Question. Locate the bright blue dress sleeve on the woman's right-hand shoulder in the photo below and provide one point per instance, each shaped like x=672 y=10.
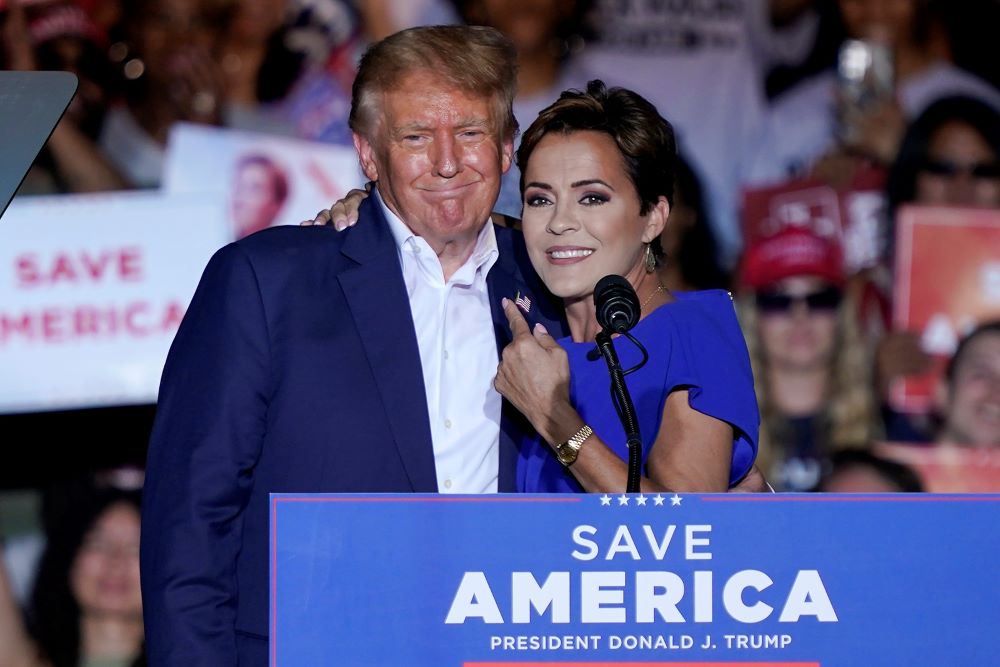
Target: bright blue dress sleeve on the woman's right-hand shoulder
x=711 y=361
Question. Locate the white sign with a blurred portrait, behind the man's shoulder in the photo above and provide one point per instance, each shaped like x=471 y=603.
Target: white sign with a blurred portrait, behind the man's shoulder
x=262 y=180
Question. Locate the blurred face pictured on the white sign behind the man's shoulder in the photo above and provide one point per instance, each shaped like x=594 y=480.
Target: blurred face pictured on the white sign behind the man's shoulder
x=260 y=189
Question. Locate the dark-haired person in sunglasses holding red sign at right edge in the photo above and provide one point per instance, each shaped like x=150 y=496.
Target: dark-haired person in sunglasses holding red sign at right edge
x=950 y=156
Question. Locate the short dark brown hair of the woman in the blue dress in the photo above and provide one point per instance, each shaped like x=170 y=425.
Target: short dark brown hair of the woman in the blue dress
x=643 y=137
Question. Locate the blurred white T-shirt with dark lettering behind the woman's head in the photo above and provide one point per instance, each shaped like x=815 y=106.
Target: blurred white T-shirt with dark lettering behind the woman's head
x=703 y=65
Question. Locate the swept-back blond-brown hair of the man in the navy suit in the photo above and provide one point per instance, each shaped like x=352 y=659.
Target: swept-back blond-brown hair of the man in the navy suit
x=474 y=59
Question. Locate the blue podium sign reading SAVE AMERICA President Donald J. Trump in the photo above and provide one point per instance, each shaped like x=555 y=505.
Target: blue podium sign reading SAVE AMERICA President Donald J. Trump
x=711 y=580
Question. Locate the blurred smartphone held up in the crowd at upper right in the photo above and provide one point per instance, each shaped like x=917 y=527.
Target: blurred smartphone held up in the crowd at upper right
x=865 y=79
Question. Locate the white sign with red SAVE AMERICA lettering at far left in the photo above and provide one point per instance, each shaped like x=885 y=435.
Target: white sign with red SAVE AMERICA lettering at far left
x=92 y=289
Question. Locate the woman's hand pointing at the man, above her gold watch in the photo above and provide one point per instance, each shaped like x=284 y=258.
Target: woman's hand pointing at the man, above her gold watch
x=534 y=376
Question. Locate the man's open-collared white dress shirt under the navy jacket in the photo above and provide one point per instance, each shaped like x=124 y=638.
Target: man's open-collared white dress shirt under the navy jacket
x=458 y=355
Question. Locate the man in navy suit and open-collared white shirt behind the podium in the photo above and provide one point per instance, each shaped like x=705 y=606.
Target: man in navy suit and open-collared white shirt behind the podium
x=359 y=361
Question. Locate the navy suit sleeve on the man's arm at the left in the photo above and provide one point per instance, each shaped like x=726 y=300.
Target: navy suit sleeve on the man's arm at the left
x=207 y=436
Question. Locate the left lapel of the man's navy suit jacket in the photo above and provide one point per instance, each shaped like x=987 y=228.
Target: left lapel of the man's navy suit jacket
x=376 y=295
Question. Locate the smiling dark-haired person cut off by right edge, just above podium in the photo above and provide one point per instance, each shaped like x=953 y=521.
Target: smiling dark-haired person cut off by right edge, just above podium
x=969 y=397
